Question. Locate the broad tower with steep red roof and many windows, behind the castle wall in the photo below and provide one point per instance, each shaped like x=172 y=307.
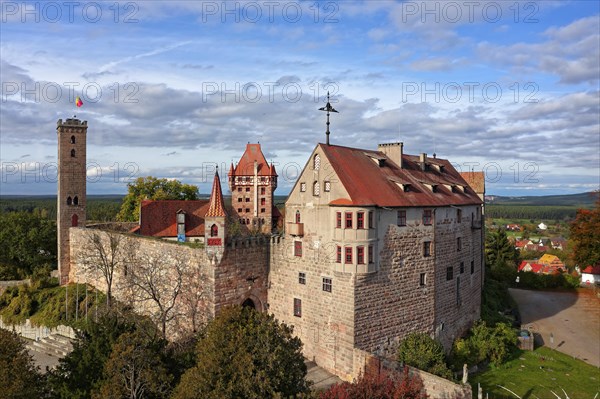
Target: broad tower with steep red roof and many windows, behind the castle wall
x=252 y=183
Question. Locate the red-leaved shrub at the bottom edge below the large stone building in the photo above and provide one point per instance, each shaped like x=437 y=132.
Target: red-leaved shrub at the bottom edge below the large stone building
x=380 y=386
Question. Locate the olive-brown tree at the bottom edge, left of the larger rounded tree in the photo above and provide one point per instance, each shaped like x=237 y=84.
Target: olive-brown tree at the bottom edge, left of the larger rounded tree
x=135 y=369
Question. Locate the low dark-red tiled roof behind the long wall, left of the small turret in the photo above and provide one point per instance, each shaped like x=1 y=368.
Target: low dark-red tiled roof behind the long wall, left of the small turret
x=159 y=218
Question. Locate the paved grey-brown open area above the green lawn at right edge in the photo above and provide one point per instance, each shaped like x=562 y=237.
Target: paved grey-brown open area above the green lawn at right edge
x=568 y=322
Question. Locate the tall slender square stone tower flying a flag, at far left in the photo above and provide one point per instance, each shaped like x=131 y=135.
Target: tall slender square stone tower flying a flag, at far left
x=71 y=197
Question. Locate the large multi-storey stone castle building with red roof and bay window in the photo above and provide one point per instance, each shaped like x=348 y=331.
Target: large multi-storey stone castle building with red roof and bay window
x=374 y=234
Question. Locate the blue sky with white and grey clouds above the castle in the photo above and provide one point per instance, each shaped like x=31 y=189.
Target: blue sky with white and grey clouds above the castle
x=173 y=89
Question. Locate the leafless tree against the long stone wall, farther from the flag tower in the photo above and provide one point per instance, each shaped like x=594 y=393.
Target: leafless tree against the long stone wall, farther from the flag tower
x=156 y=280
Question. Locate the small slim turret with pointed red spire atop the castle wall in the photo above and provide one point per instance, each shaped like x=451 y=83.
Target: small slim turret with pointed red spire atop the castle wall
x=214 y=221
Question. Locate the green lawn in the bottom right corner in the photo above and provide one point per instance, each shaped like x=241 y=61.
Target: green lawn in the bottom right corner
x=535 y=374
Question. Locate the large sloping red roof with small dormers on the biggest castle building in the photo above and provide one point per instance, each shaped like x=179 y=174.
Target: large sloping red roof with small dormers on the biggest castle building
x=369 y=184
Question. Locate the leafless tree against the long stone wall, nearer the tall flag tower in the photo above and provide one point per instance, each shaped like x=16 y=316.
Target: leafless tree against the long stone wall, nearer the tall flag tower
x=105 y=252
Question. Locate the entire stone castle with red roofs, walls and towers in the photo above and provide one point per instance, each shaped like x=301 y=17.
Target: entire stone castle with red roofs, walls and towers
x=376 y=244
